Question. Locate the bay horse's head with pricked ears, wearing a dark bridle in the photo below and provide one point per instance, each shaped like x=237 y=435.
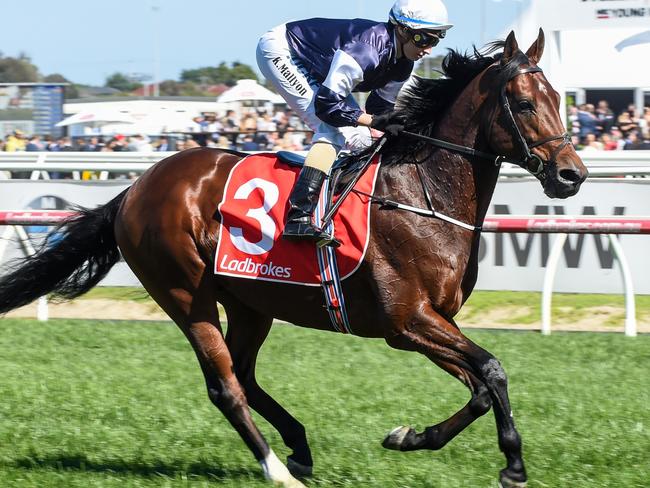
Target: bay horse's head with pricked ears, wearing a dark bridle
x=526 y=125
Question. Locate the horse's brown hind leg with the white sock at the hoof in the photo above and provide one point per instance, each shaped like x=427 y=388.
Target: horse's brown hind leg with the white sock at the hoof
x=183 y=286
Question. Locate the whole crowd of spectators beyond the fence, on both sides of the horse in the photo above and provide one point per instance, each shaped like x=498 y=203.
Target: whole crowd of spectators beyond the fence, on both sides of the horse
x=593 y=128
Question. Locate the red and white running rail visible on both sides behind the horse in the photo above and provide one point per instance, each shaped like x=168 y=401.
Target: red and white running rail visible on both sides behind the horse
x=502 y=223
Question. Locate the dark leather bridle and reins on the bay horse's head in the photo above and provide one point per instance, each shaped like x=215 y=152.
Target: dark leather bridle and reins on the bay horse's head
x=531 y=161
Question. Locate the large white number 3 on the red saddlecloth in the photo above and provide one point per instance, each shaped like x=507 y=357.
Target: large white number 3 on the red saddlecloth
x=260 y=214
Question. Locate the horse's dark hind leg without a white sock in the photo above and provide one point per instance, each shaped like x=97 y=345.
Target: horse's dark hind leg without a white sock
x=247 y=330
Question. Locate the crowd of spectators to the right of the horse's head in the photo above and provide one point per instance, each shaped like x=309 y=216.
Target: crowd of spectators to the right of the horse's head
x=598 y=128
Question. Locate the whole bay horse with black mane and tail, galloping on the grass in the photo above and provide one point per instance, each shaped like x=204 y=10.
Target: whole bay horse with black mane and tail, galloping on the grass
x=415 y=276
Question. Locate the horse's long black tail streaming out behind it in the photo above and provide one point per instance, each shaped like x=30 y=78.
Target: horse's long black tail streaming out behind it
x=74 y=258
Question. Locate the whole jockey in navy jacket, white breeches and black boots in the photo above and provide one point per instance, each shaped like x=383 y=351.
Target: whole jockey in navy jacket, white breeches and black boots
x=316 y=65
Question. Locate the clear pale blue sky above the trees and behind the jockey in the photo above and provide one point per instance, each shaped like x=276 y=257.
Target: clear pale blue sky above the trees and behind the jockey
x=88 y=41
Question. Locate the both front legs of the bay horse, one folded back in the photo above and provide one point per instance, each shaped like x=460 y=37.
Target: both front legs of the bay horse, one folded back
x=441 y=341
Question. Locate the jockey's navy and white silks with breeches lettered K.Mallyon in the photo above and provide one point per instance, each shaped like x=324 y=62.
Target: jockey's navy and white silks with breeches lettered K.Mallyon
x=317 y=64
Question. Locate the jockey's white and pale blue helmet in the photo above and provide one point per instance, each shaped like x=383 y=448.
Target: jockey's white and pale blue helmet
x=429 y=15
